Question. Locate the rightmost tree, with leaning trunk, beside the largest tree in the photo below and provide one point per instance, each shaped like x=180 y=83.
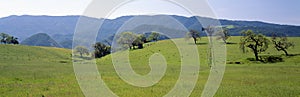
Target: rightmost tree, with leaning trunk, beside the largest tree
x=281 y=43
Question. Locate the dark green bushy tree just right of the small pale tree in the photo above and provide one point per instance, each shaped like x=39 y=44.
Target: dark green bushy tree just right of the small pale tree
x=101 y=50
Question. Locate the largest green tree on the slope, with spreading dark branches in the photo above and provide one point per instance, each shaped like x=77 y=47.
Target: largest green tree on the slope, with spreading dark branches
x=256 y=42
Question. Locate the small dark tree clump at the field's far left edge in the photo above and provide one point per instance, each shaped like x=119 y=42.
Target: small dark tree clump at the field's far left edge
x=8 y=39
